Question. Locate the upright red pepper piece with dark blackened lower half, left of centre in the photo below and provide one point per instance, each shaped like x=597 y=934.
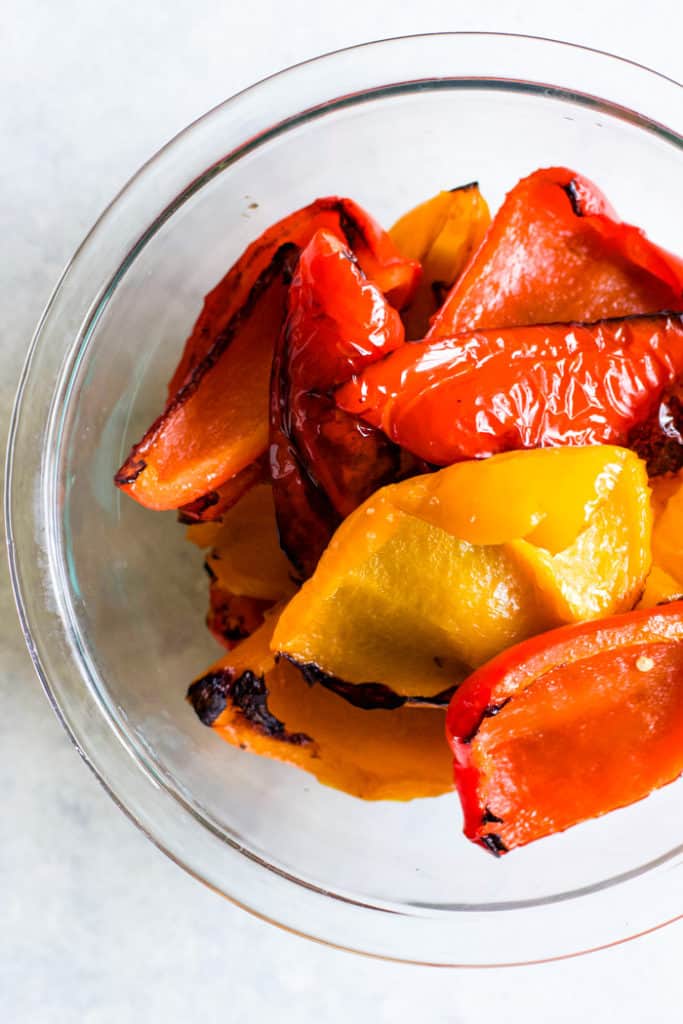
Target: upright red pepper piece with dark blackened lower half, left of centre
x=325 y=462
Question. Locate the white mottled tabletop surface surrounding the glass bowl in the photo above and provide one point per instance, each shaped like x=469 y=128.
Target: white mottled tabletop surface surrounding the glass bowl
x=96 y=925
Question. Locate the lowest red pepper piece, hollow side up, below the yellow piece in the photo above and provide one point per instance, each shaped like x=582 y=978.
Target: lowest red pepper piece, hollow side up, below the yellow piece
x=570 y=726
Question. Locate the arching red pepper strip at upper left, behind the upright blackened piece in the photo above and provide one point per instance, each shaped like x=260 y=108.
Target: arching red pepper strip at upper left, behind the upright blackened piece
x=396 y=276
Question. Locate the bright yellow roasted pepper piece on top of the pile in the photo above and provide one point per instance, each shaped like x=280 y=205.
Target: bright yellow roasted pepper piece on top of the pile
x=433 y=577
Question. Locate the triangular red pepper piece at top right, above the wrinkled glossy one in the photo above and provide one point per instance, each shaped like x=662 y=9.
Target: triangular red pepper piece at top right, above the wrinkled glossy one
x=556 y=251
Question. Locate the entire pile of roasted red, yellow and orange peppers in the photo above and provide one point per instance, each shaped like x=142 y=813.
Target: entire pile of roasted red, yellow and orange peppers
x=435 y=468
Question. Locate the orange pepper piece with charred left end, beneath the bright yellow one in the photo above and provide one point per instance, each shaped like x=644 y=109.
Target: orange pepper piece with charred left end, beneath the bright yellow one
x=269 y=709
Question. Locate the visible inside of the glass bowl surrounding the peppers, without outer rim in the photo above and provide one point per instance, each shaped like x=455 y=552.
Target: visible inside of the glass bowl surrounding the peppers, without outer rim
x=138 y=591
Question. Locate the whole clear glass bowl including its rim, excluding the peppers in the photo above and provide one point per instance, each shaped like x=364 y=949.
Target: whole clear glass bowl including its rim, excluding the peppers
x=113 y=601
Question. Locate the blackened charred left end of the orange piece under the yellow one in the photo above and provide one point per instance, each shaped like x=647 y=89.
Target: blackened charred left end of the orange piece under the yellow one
x=246 y=693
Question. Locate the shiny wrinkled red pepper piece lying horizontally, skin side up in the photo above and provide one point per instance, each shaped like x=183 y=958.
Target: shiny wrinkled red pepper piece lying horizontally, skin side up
x=523 y=388
